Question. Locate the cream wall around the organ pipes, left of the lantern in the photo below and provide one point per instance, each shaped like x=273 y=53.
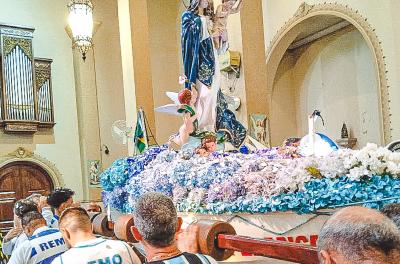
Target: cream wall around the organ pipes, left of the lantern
x=49 y=17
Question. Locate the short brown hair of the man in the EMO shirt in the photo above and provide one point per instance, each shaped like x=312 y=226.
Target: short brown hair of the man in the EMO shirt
x=76 y=218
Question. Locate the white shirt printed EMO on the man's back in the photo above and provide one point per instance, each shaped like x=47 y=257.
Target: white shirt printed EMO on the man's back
x=99 y=250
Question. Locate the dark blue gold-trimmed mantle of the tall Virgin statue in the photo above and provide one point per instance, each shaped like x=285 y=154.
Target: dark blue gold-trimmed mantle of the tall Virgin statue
x=199 y=64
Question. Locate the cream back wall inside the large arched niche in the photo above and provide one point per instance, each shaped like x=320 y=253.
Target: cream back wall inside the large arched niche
x=340 y=81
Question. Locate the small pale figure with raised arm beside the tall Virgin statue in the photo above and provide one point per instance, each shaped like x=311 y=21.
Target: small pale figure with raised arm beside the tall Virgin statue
x=221 y=21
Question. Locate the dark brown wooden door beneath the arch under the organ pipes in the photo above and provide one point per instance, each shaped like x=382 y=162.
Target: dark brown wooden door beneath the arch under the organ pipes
x=19 y=180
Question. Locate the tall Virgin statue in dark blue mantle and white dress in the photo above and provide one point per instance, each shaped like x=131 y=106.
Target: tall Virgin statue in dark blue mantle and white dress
x=201 y=69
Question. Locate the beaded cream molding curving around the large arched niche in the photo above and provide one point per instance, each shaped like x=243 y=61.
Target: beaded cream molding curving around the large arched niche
x=306 y=11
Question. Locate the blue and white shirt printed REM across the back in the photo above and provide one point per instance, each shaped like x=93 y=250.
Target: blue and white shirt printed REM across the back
x=41 y=248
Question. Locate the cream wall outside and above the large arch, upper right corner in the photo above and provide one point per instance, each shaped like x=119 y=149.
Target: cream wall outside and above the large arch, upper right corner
x=382 y=15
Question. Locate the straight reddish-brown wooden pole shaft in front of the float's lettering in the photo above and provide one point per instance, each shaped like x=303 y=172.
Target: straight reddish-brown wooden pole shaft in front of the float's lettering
x=268 y=248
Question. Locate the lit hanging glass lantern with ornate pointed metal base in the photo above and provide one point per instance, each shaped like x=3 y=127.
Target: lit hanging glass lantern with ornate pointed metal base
x=80 y=20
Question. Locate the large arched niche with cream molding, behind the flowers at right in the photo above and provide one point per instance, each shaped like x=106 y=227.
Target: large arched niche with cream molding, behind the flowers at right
x=288 y=46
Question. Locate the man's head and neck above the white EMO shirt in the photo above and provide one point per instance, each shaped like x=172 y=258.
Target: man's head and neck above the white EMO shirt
x=75 y=224
